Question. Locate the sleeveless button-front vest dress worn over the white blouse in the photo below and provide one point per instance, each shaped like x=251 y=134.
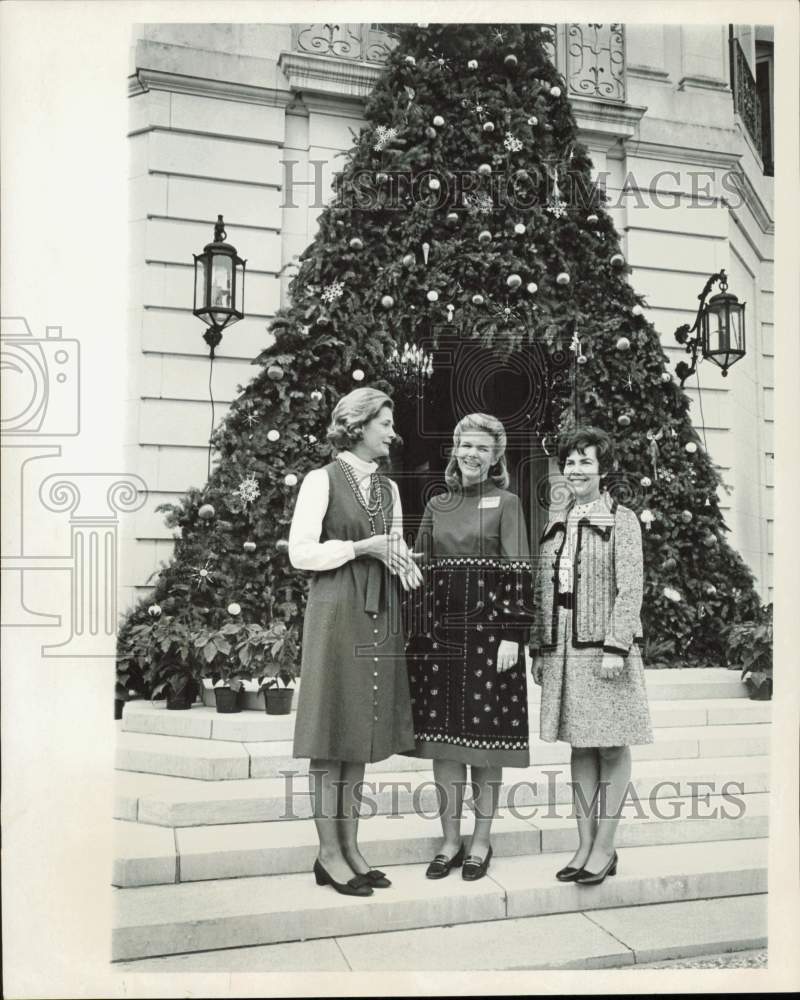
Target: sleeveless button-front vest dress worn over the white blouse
x=354 y=702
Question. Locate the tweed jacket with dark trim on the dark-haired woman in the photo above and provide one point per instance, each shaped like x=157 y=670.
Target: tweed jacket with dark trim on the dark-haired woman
x=608 y=580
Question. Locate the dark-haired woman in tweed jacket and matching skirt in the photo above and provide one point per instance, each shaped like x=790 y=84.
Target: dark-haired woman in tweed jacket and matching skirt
x=588 y=599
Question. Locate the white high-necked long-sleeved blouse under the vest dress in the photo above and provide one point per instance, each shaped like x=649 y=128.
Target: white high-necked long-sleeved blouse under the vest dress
x=306 y=551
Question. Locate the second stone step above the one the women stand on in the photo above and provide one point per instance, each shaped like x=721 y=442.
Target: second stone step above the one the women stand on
x=169 y=801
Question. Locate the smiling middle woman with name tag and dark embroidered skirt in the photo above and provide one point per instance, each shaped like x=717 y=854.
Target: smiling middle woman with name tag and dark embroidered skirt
x=467 y=647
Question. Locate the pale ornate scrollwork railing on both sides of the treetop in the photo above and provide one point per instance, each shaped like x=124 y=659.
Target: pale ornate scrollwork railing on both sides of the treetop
x=591 y=57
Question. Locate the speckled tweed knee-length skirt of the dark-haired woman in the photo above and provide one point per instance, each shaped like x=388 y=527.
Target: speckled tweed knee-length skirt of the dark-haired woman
x=583 y=709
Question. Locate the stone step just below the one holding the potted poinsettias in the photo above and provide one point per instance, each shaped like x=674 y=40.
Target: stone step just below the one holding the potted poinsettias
x=214 y=760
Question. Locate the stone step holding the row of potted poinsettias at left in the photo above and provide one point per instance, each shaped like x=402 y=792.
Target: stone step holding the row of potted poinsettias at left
x=254 y=727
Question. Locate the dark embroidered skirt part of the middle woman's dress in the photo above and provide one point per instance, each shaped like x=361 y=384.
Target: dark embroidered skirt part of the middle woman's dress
x=463 y=708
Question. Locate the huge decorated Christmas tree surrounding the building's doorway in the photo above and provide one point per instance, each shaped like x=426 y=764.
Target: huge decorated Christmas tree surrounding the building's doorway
x=465 y=210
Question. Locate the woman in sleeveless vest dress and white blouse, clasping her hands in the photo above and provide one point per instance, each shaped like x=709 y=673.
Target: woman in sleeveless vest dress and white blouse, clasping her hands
x=354 y=704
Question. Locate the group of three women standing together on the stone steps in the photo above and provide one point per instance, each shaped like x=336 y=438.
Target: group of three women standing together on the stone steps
x=460 y=698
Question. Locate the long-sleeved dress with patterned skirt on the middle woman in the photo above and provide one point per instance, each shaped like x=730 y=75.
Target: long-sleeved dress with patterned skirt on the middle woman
x=477 y=591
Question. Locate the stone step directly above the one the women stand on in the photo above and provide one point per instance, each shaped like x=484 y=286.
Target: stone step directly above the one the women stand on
x=154 y=855
